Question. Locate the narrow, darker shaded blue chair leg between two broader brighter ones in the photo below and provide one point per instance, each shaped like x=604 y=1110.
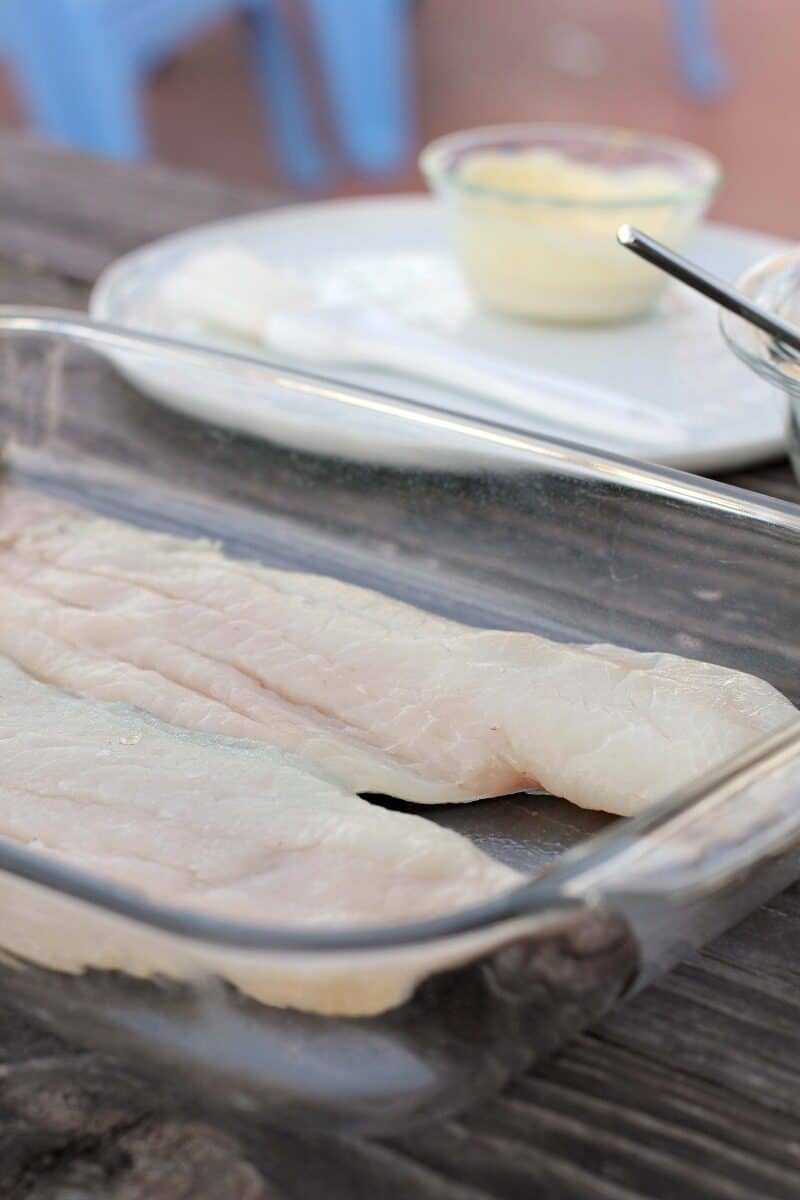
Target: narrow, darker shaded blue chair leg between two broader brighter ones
x=284 y=98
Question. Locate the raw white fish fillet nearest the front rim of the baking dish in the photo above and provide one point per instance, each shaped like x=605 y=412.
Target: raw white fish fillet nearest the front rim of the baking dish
x=224 y=825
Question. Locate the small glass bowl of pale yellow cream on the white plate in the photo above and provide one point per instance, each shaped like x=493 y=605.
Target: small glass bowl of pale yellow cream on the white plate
x=554 y=255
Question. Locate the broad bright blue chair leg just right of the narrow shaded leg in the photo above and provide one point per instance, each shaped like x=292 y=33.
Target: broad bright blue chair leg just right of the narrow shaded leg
x=365 y=53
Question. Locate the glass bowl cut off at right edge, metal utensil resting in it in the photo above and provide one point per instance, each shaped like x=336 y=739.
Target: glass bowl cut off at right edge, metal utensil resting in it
x=773 y=284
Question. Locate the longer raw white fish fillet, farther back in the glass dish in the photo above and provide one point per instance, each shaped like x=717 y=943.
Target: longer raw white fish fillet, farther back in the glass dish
x=378 y=694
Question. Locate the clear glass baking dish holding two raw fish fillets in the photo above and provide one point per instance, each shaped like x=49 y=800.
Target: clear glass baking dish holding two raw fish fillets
x=370 y=1030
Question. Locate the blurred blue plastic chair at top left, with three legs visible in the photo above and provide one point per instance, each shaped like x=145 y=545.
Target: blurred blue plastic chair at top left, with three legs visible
x=80 y=67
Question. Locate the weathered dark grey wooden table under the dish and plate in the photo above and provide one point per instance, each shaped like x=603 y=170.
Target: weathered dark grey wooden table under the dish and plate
x=690 y=1091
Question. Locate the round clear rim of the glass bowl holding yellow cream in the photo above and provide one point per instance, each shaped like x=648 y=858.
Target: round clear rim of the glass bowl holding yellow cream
x=440 y=176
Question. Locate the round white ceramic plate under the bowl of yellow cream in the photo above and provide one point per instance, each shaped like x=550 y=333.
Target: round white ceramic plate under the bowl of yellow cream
x=395 y=249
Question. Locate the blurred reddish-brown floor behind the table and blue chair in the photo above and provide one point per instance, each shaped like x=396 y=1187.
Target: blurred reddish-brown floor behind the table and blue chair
x=482 y=62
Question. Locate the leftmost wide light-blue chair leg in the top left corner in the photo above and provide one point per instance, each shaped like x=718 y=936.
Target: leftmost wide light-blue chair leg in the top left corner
x=79 y=85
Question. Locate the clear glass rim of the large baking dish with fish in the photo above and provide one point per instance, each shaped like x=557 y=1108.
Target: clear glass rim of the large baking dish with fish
x=545 y=893
